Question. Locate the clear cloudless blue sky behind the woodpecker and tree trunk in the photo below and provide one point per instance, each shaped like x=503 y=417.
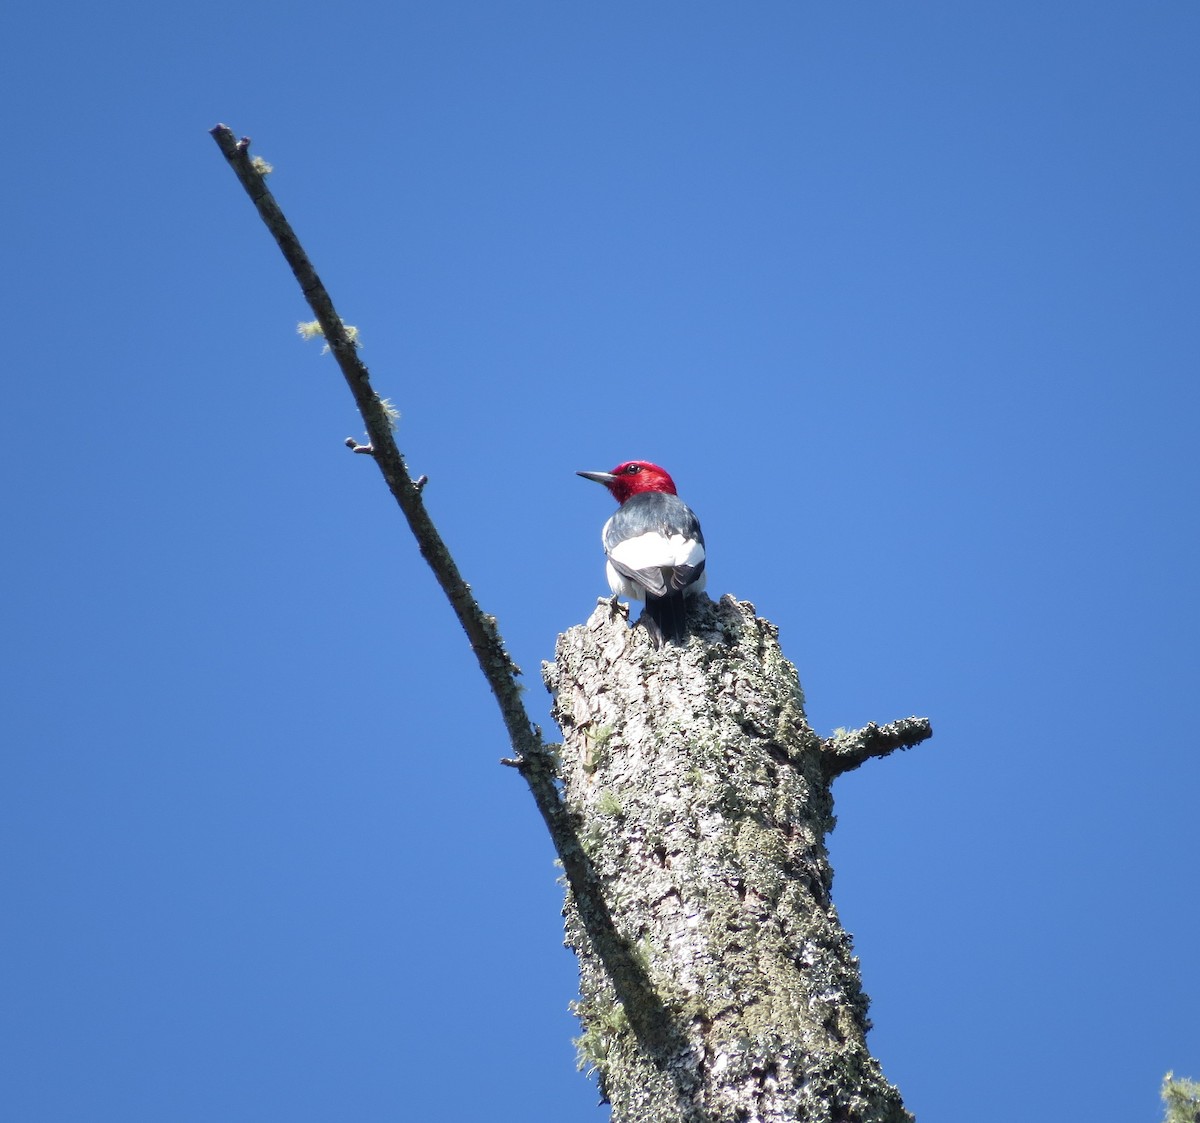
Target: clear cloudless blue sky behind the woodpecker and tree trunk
x=905 y=297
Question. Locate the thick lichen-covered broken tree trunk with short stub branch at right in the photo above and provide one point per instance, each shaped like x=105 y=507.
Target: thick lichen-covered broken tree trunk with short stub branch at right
x=701 y=801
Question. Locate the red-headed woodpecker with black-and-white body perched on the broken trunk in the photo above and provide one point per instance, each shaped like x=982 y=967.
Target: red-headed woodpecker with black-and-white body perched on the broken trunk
x=655 y=545
